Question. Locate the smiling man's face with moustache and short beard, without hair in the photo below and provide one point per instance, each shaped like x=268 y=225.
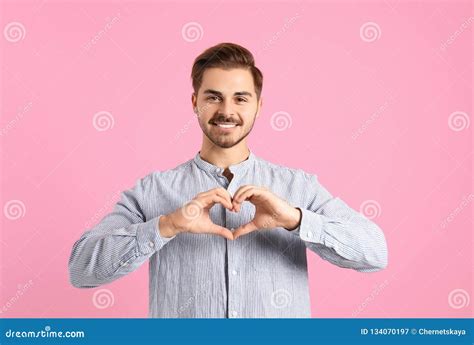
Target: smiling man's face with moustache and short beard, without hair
x=227 y=105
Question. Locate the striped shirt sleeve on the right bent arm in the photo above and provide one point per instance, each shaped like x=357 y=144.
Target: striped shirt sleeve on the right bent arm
x=339 y=234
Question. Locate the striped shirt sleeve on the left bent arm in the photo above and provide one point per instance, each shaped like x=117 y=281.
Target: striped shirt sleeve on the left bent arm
x=119 y=244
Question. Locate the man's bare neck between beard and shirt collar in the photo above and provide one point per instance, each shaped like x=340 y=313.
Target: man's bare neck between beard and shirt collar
x=223 y=158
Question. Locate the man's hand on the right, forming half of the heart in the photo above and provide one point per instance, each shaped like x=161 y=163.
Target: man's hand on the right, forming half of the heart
x=270 y=210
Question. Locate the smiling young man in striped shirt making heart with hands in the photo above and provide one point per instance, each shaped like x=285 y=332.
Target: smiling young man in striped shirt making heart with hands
x=226 y=232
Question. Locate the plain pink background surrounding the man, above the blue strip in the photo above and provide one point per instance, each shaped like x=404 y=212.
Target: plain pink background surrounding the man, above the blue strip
x=381 y=116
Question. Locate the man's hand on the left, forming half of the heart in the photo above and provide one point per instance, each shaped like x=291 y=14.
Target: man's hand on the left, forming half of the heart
x=194 y=216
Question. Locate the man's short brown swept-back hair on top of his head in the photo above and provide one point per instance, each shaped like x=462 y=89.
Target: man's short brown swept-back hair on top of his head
x=226 y=56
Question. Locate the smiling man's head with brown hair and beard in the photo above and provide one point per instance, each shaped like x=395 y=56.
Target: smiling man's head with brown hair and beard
x=227 y=93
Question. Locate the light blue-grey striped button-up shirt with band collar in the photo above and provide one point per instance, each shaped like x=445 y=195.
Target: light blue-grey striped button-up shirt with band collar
x=262 y=274
